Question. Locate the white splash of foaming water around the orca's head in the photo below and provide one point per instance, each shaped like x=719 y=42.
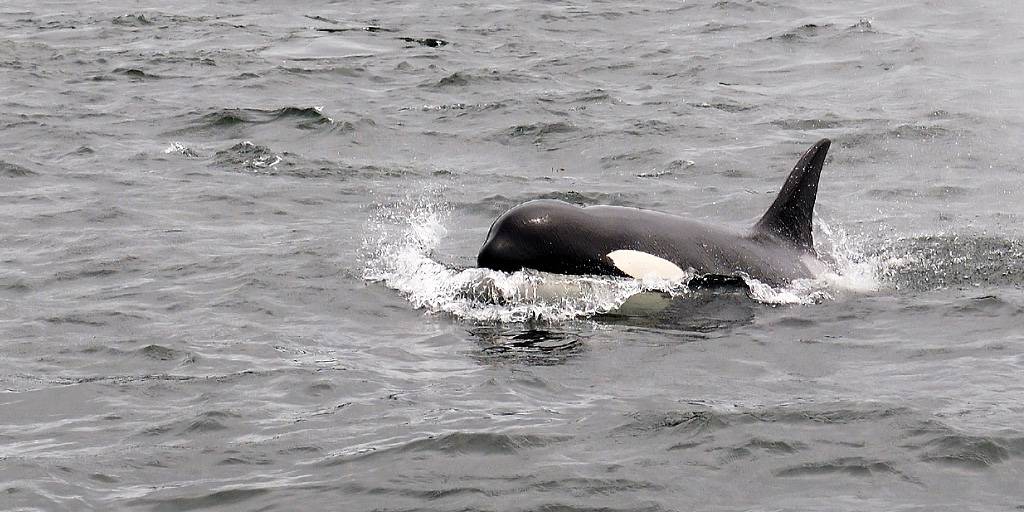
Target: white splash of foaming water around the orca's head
x=399 y=255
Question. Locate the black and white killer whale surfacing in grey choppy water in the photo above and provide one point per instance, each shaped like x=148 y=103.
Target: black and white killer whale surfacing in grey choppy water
x=561 y=238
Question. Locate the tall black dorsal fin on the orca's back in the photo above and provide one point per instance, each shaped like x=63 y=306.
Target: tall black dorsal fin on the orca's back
x=790 y=217
